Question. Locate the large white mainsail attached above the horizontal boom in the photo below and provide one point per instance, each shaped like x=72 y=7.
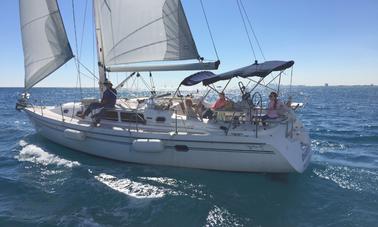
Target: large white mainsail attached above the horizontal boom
x=144 y=30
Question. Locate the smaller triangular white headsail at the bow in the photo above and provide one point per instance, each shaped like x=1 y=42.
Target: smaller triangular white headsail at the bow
x=44 y=39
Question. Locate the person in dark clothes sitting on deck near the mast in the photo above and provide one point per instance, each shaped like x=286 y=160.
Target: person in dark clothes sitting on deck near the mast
x=108 y=101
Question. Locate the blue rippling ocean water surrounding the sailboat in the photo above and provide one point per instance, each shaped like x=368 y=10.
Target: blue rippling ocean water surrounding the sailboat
x=42 y=183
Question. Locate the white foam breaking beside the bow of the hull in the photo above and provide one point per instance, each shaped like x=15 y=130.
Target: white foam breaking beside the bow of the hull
x=35 y=154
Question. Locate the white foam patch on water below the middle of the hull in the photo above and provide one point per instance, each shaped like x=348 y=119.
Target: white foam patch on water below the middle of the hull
x=131 y=188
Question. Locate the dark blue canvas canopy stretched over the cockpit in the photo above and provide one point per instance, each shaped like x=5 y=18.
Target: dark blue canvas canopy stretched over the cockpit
x=256 y=69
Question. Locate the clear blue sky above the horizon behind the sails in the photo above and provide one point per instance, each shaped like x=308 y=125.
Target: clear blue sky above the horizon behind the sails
x=331 y=41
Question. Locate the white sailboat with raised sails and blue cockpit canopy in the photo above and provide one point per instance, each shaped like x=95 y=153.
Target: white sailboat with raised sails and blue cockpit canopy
x=157 y=130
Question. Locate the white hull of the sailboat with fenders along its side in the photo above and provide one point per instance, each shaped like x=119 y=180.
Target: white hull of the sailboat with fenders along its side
x=267 y=153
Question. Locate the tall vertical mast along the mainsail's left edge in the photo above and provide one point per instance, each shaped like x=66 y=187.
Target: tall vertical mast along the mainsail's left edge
x=100 y=50
